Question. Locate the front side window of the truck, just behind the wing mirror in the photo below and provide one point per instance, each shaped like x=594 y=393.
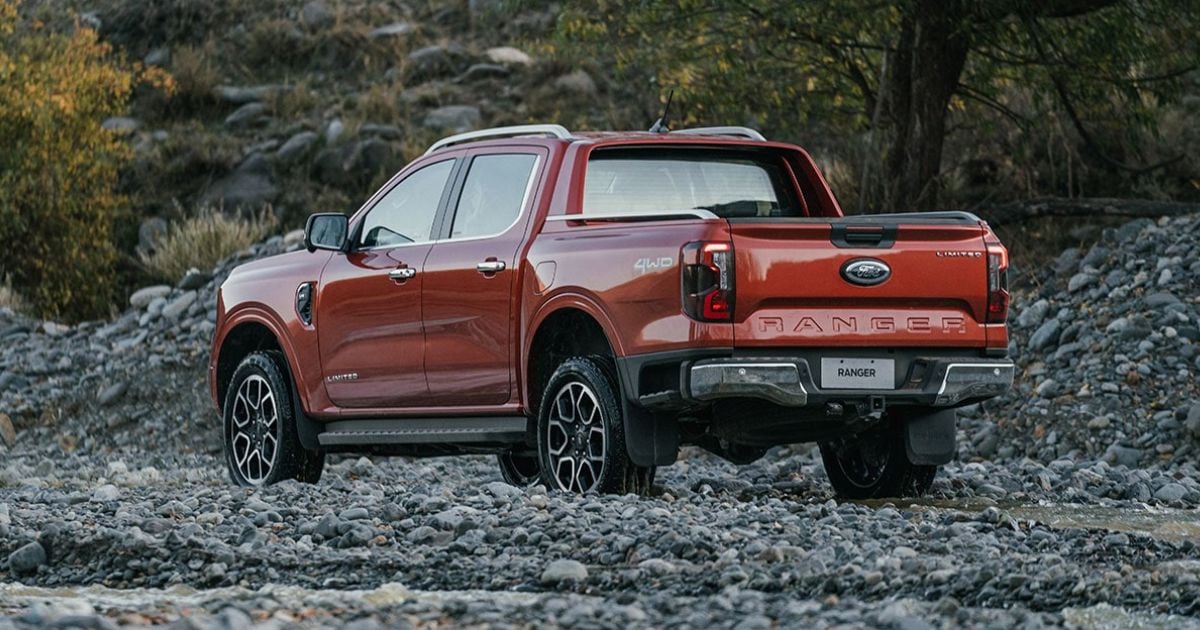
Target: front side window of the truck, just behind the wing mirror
x=406 y=213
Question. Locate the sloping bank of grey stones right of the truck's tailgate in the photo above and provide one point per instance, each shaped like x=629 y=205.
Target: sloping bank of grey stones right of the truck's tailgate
x=1108 y=352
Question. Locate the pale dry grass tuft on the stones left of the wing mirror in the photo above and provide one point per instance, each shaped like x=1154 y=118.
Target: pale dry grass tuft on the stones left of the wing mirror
x=205 y=241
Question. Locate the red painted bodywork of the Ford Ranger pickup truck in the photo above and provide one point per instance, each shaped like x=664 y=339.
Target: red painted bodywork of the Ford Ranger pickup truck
x=453 y=341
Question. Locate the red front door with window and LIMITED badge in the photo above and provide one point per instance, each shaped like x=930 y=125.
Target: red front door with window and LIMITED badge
x=369 y=302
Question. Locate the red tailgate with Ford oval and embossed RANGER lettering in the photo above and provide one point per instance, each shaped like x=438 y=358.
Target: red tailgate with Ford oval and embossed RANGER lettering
x=821 y=284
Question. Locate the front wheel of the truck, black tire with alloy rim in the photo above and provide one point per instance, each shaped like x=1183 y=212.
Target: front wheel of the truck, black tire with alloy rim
x=289 y=458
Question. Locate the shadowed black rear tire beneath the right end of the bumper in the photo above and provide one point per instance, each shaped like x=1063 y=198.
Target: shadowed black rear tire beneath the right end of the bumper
x=875 y=465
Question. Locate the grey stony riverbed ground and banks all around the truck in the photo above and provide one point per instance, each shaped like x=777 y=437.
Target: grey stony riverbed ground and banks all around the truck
x=116 y=508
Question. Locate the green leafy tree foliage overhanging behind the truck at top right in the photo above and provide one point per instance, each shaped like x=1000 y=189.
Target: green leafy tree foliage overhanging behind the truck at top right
x=1093 y=75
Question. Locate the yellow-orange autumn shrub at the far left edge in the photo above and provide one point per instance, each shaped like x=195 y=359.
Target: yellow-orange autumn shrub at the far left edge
x=59 y=167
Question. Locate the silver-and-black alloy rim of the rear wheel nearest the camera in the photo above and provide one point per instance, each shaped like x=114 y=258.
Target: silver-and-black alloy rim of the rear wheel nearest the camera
x=575 y=439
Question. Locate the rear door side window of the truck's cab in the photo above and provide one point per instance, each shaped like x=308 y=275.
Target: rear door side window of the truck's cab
x=493 y=195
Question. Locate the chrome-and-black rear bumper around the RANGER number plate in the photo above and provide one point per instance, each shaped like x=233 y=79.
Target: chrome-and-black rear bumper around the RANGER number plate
x=789 y=382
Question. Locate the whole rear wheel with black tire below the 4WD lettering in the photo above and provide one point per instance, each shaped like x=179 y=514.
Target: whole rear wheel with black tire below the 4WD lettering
x=587 y=381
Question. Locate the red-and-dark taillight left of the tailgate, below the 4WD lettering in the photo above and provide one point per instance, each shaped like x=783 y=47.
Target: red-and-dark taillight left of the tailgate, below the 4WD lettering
x=707 y=285
